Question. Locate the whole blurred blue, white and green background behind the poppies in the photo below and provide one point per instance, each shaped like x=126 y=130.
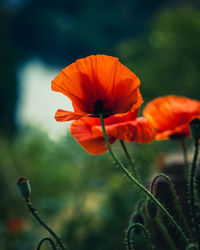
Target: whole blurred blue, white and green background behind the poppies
x=84 y=198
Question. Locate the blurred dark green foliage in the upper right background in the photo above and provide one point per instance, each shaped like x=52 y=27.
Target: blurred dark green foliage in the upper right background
x=166 y=56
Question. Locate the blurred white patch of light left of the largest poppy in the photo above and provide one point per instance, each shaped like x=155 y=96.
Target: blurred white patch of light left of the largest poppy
x=37 y=102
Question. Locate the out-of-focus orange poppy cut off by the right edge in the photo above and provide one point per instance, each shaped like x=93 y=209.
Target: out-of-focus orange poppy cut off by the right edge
x=170 y=115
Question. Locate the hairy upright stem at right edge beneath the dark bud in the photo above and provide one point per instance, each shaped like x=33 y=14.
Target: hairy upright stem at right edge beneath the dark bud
x=191 y=192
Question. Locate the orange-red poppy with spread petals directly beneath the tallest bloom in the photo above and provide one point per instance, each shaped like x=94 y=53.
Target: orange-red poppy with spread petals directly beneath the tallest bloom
x=88 y=131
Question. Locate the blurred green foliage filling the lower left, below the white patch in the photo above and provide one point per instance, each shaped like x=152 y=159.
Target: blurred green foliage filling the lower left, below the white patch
x=83 y=197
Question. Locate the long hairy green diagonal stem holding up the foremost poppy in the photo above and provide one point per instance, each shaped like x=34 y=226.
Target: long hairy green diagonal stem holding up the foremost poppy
x=140 y=186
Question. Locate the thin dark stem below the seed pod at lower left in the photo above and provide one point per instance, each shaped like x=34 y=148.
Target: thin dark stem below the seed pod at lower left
x=34 y=213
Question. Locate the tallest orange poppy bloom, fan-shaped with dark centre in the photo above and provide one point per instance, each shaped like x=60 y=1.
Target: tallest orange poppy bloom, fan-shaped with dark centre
x=97 y=84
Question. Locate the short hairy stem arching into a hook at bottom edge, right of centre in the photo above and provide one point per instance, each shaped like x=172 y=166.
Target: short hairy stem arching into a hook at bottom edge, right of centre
x=146 y=235
